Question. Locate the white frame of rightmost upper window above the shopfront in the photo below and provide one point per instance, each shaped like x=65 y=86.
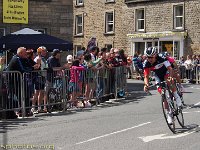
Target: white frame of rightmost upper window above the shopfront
x=174 y=8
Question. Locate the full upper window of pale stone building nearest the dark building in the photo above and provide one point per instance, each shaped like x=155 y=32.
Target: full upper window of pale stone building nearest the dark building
x=79 y=25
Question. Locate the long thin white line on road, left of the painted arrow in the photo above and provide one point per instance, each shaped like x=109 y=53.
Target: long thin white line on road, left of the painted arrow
x=116 y=132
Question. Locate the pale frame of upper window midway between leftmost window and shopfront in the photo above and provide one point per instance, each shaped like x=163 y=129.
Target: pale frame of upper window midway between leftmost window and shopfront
x=107 y=24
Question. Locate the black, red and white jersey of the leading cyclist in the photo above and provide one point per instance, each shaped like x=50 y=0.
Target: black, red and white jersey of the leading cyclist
x=159 y=67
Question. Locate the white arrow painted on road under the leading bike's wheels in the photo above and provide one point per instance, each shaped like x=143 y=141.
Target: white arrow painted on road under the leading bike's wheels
x=163 y=136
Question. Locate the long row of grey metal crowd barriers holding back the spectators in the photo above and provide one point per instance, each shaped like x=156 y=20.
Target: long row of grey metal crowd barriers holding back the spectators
x=54 y=90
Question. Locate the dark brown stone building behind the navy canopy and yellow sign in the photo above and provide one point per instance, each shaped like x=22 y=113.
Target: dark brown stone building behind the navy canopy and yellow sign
x=53 y=17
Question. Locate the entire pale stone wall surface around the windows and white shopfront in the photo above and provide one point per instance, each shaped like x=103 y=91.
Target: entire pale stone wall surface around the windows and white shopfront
x=159 y=18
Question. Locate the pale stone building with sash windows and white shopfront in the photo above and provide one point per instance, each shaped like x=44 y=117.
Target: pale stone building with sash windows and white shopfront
x=170 y=25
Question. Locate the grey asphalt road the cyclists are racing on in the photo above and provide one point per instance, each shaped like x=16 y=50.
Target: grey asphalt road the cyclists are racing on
x=136 y=123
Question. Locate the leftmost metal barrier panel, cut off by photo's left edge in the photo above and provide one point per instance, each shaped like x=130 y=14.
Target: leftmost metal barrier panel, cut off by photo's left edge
x=11 y=93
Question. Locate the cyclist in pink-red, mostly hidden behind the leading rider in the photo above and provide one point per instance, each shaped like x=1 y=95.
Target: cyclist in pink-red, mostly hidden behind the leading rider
x=175 y=68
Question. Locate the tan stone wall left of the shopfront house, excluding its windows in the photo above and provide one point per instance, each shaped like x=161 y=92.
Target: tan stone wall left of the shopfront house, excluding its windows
x=94 y=23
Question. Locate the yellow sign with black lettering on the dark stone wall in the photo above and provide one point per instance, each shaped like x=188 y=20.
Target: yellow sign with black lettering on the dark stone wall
x=15 y=11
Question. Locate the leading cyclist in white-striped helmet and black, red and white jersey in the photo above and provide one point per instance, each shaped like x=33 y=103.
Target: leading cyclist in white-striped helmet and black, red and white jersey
x=163 y=71
